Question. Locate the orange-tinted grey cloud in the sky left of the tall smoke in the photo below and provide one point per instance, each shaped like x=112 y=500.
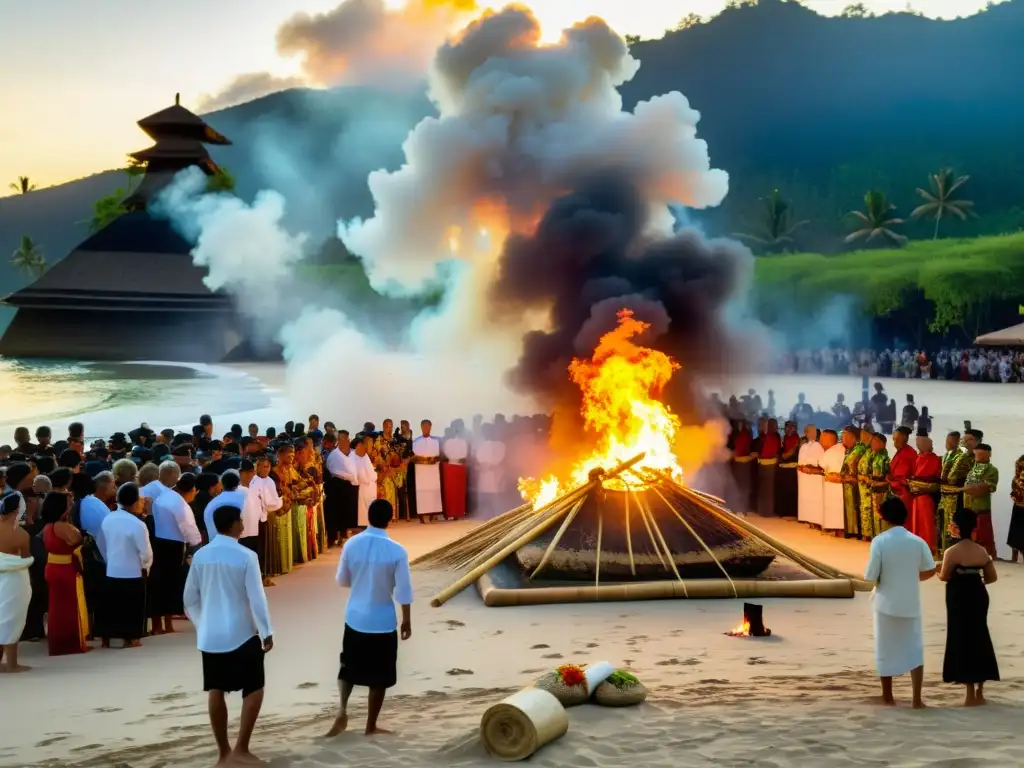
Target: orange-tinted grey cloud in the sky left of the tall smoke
x=360 y=42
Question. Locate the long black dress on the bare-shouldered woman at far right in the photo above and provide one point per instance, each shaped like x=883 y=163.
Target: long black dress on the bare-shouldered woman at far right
x=970 y=657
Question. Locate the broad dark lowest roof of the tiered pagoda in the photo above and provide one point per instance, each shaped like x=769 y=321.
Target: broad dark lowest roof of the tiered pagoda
x=137 y=263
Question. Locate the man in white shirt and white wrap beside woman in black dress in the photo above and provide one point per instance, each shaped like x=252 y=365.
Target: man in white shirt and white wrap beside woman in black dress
x=898 y=565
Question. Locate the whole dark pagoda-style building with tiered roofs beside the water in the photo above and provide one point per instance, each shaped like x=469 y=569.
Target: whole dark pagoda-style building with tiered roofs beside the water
x=132 y=290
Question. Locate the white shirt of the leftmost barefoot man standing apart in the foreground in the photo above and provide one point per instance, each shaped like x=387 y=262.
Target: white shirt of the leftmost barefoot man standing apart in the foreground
x=225 y=598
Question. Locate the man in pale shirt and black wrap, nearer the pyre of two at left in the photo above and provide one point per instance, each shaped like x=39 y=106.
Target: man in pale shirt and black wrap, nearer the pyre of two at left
x=377 y=571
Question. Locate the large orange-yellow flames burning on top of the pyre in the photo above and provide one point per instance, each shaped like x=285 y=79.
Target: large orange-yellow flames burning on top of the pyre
x=621 y=385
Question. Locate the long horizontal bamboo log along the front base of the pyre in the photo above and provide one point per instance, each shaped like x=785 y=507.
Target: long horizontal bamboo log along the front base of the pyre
x=666 y=589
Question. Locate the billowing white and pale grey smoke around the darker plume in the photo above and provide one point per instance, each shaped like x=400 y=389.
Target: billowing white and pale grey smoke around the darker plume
x=520 y=123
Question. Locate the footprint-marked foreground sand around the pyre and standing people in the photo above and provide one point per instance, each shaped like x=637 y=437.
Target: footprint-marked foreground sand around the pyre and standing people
x=802 y=698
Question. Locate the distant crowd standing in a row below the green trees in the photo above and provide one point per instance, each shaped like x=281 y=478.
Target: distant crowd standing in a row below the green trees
x=971 y=364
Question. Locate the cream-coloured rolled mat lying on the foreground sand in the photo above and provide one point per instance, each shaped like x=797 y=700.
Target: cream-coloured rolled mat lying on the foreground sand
x=522 y=724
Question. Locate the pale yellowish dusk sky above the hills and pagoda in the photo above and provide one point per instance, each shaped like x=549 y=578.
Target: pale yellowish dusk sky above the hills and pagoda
x=78 y=75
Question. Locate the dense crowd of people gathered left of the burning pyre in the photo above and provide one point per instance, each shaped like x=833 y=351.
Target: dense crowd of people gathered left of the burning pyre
x=98 y=541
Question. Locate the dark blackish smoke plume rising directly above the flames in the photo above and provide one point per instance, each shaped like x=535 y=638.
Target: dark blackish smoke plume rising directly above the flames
x=592 y=257
